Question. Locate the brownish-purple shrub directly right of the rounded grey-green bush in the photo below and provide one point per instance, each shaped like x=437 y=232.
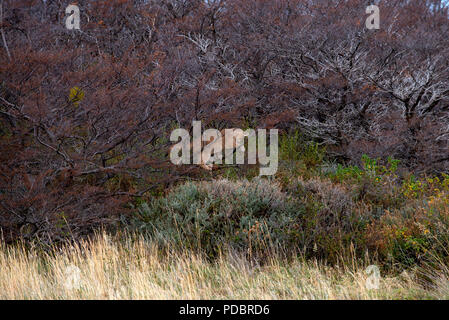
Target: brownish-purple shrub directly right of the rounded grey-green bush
x=331 y=226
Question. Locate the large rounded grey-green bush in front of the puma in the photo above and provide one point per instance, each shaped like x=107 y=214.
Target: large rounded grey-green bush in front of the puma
x=213 y=216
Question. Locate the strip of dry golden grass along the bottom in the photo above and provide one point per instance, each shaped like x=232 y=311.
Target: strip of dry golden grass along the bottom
x=135 y=269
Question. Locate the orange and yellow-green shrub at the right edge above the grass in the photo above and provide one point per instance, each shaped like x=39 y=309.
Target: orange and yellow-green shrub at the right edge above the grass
x=414 y=234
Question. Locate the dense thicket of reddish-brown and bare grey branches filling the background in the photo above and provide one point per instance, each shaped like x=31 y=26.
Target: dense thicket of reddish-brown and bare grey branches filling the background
x=85 y=114
